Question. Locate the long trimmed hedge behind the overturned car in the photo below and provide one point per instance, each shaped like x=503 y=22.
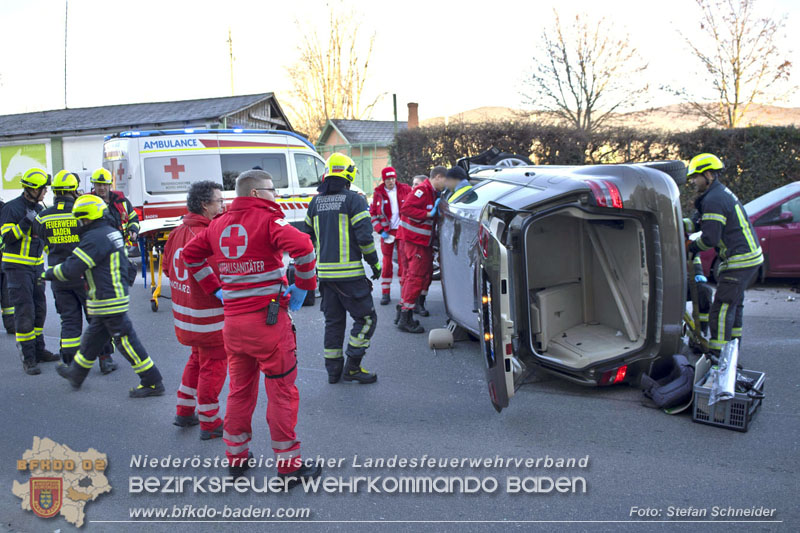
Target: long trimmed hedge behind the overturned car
x=758 y=159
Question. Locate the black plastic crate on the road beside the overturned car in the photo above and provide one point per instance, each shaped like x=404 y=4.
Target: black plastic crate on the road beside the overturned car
x=736 y=413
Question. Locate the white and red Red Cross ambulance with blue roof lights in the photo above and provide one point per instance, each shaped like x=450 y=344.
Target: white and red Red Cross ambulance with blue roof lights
x=154 y=169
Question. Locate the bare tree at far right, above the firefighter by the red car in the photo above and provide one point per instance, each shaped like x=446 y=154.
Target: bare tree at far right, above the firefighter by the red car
x=741 y=60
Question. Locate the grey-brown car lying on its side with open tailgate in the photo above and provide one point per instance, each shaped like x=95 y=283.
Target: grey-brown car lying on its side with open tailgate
x=577 y=271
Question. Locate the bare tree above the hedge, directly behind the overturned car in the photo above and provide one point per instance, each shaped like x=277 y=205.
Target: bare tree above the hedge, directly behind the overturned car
x=584 y=73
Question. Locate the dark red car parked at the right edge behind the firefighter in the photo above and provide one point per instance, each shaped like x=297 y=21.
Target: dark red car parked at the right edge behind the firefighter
x=776 y=218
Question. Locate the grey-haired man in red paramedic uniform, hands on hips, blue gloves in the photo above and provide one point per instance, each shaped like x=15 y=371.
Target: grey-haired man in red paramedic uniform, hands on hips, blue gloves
x=247 y=242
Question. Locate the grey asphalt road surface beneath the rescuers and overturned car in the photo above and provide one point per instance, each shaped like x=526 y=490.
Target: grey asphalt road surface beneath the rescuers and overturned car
x=435 y=405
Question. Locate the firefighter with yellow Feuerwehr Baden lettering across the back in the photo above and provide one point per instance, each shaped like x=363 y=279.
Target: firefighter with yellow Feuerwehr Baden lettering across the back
x=59 y=229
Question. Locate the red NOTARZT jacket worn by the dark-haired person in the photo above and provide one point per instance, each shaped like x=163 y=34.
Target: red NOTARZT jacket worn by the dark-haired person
x=198 y=316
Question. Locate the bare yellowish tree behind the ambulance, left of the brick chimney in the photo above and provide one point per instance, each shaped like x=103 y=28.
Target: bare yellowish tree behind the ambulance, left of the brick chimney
x=329 y=77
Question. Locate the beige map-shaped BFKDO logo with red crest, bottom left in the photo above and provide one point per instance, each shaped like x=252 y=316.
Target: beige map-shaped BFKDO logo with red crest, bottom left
x=62 y=480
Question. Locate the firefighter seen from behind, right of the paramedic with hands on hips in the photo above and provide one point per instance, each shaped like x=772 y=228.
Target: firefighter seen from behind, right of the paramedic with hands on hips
x=339 y=223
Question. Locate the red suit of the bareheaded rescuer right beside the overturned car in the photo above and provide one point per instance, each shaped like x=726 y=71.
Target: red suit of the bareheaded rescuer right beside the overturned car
x=416 y=232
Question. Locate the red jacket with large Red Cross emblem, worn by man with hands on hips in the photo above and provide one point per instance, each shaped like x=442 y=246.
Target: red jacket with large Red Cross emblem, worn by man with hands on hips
x=247 y=242
